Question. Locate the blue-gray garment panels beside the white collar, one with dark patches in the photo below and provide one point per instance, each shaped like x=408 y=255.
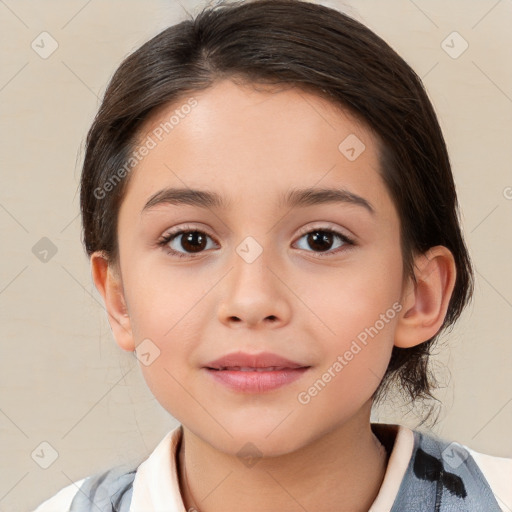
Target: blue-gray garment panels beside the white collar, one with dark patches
x=440 y=477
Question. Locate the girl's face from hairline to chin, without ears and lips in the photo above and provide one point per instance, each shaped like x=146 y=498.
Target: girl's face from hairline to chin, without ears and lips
x=257 y=278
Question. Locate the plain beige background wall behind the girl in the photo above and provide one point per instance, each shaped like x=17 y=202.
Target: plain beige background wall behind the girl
x=63 y=378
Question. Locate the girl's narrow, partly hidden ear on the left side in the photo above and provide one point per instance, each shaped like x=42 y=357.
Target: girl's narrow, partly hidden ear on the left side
x=107 y=280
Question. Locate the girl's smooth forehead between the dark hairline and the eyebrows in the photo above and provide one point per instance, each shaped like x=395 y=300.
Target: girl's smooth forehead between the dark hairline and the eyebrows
x=254 y=143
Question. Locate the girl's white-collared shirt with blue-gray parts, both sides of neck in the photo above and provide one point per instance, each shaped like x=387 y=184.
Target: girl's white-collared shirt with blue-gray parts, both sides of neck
x=423 y=474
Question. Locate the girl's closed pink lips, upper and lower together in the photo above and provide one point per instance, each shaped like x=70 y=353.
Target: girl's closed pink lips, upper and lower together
x=271 y=371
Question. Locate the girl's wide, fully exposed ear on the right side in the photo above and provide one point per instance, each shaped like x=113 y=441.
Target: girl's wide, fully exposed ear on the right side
x=425 y=302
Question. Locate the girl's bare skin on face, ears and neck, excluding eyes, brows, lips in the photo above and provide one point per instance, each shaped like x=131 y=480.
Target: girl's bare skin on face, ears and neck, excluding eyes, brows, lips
x=294 y=300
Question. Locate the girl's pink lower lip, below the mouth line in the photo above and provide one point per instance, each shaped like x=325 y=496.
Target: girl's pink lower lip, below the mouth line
x=256 y=382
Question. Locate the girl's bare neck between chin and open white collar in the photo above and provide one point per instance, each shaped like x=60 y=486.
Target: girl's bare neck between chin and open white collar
x=346 y=465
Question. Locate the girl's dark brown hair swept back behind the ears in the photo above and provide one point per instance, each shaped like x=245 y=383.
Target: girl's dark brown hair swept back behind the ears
x=320 y=50
